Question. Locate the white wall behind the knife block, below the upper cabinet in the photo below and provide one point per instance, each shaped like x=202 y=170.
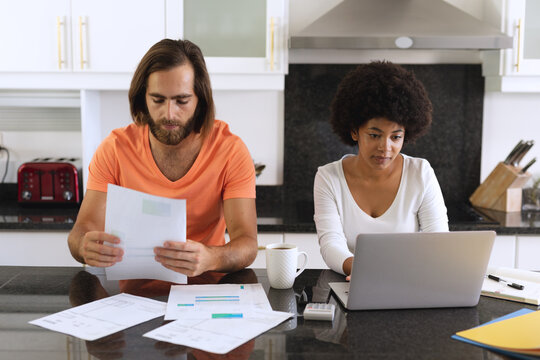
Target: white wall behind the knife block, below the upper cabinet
x=509 y=117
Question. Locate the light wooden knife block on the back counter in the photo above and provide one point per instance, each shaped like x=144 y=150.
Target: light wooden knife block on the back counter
x=502 y=189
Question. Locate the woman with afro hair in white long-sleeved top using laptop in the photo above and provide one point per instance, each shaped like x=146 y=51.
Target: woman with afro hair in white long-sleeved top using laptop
x=378 y=107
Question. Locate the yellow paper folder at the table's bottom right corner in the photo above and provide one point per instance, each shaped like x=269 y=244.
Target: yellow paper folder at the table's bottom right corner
x=516 y=334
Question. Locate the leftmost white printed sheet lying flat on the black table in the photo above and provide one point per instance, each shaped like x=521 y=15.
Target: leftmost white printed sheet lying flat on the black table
x=103 y=317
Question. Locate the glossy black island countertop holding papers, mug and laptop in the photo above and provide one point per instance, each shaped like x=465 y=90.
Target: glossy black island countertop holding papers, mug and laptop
x=27 y=293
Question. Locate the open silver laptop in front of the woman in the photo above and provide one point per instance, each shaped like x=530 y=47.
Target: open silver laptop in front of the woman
x=416 y=270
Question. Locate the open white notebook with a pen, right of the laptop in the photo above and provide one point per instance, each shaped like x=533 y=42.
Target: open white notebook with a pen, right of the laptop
x=530 y=294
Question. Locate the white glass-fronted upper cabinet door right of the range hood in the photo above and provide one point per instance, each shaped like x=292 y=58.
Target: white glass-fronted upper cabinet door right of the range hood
x=523 y=22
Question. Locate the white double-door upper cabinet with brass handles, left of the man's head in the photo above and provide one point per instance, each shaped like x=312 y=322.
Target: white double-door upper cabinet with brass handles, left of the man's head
x=78 y=35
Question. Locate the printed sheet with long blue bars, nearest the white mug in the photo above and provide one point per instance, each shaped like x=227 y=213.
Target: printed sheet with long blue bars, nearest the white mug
x=208 y=301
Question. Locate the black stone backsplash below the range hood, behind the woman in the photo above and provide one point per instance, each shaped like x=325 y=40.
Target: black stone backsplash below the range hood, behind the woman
x=452 y=146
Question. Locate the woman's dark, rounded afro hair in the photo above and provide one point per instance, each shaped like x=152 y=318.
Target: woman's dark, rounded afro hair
x=380 y=89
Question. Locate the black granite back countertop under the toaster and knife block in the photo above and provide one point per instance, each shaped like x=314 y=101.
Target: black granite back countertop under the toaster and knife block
x=273 y=216
